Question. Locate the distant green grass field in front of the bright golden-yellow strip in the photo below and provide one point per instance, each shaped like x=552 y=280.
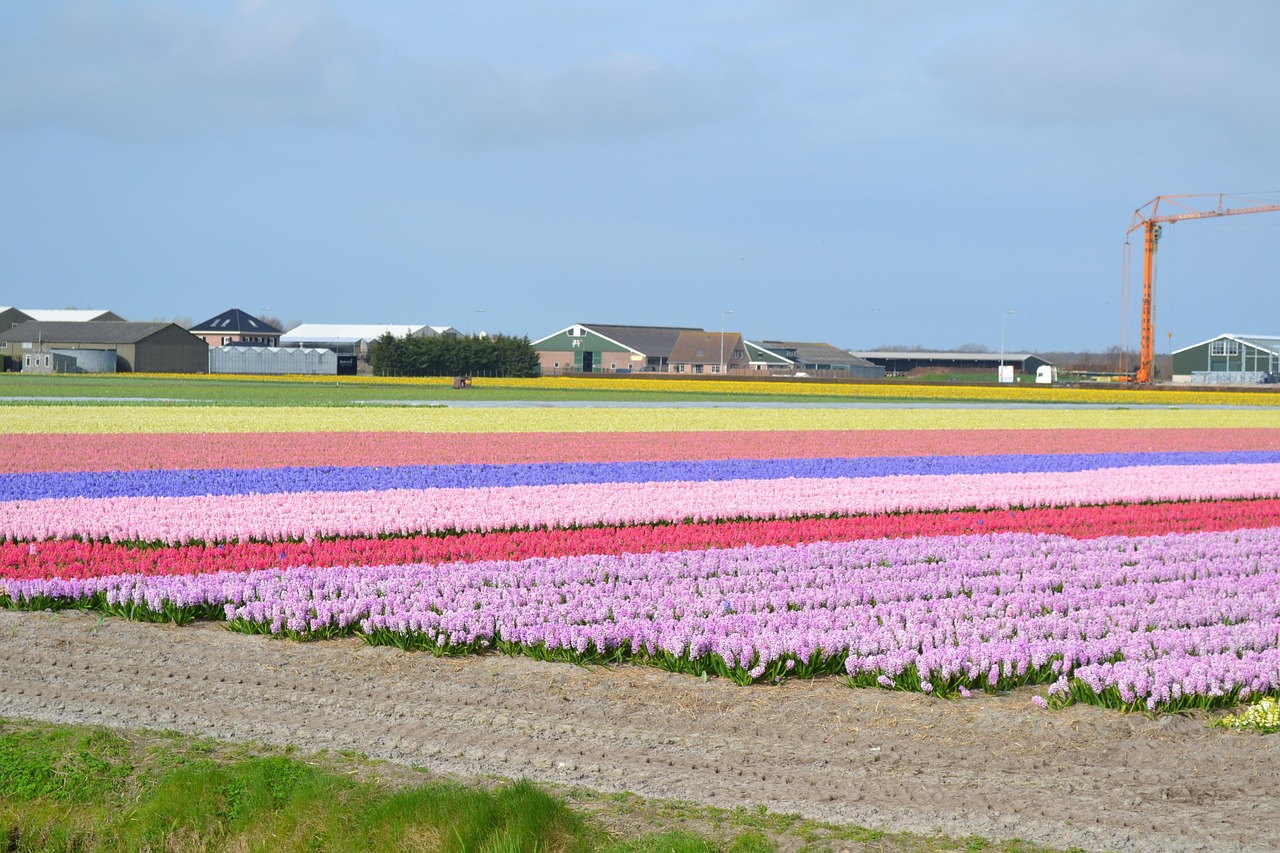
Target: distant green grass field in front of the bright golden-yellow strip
x=349 y=393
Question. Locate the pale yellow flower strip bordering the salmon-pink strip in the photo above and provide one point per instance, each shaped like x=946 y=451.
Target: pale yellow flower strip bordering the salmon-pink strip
x=214 y=419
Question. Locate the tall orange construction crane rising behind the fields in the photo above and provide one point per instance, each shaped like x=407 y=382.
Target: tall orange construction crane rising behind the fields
x=1150 y=220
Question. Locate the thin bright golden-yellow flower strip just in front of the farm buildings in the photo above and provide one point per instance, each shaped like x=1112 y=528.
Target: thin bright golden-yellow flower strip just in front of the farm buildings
x=1117 y=395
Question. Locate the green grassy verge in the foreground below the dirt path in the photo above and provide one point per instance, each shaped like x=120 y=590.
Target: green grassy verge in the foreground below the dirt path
x=84 y=788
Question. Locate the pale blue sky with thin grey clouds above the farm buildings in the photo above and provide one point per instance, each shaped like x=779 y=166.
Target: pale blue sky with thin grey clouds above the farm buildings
x=907 y=172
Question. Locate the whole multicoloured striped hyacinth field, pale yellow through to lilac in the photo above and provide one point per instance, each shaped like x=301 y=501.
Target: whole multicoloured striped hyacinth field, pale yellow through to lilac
x=1122 y=558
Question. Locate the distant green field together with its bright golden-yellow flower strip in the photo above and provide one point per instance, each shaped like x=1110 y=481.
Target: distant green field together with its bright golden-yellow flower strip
x=355 y=391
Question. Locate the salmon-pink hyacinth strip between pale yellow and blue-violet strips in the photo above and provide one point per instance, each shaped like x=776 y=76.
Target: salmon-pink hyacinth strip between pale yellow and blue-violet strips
x=140 y=451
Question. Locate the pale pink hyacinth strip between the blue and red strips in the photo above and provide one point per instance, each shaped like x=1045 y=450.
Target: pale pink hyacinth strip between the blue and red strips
x=408 y=512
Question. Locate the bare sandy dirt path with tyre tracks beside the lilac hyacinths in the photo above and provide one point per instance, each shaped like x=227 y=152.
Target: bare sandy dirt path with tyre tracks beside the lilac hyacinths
x=993 y=767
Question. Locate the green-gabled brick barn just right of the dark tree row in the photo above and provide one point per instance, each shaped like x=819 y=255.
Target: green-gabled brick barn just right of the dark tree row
x=609 y=349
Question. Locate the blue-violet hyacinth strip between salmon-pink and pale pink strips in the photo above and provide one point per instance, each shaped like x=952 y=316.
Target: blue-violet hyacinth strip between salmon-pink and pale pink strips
x=331 y=478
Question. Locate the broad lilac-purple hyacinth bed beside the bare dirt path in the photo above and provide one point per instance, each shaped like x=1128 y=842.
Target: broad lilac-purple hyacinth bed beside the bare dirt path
x=1154 y=619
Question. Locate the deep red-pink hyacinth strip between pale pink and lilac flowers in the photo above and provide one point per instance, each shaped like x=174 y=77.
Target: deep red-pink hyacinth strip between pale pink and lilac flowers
x=79 y=559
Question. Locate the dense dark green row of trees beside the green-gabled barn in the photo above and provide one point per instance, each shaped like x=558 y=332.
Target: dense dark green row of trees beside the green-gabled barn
x=499 y=355
